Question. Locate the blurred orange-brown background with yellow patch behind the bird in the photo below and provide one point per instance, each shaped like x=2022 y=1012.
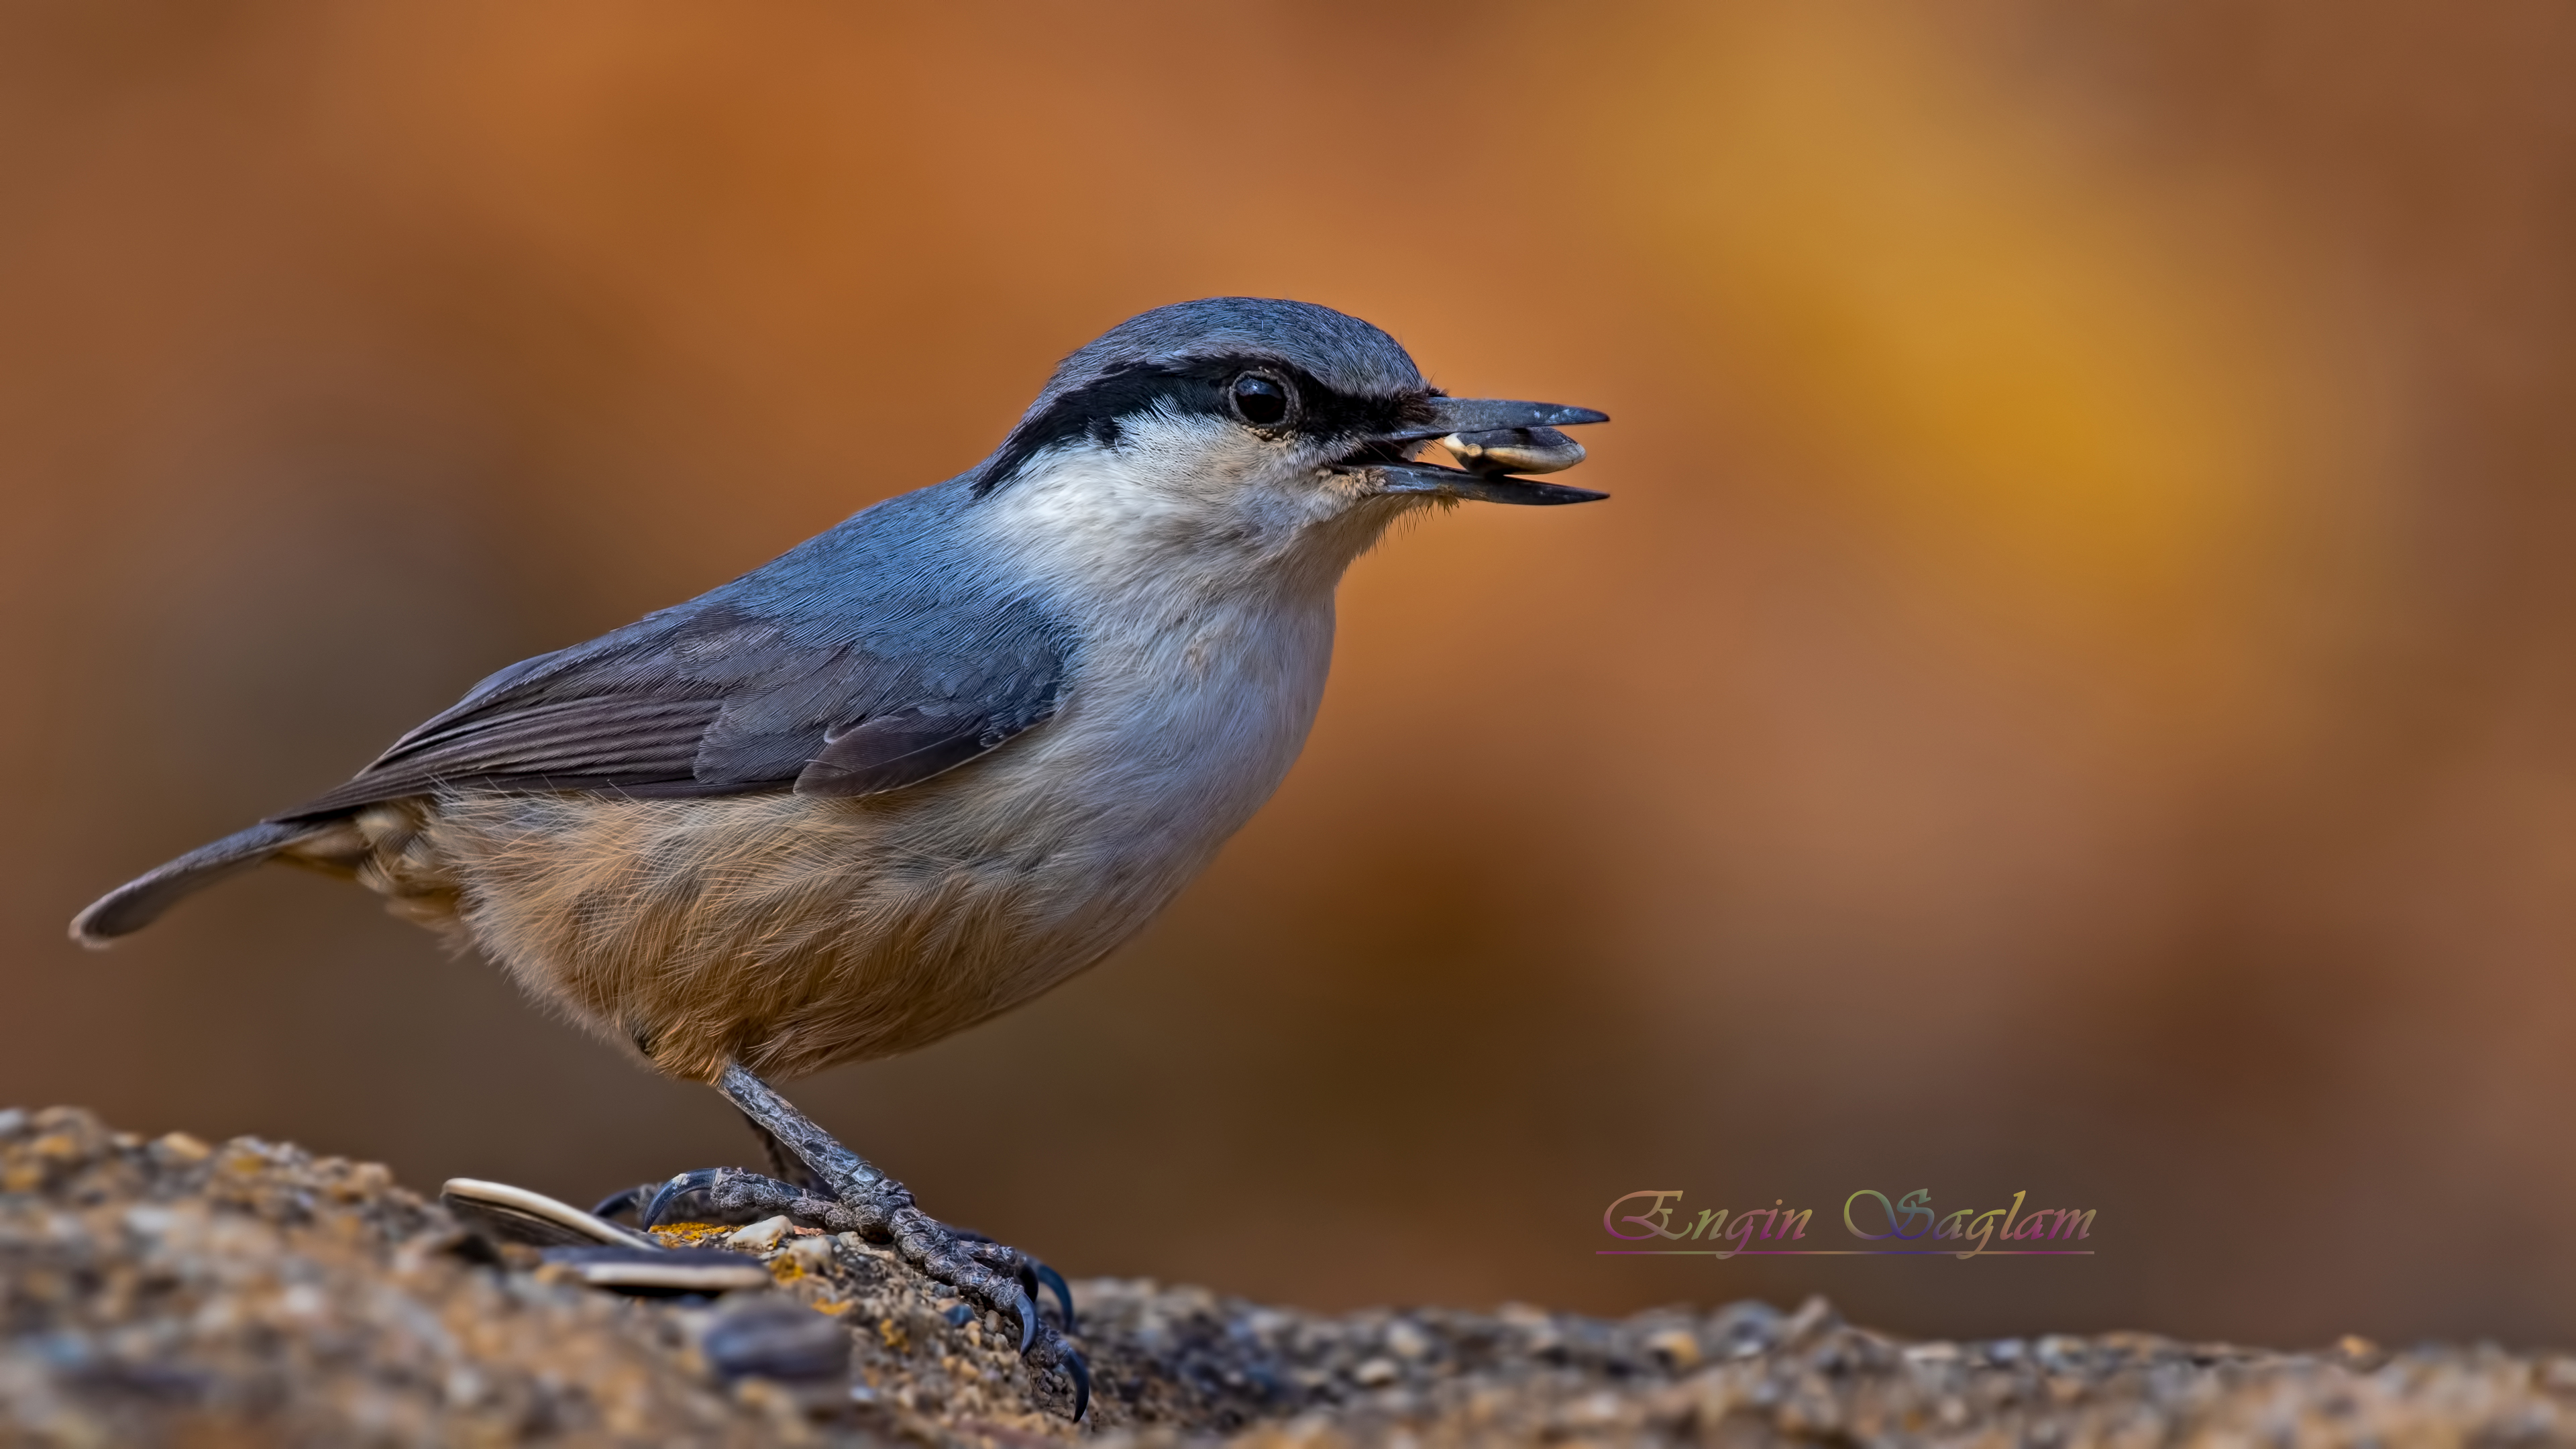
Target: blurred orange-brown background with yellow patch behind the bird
x=2075 y=690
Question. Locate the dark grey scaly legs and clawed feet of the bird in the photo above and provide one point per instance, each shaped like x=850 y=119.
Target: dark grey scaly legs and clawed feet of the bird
x=857 y=1198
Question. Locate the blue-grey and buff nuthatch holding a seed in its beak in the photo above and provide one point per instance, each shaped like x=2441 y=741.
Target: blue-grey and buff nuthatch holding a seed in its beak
x=931 y=762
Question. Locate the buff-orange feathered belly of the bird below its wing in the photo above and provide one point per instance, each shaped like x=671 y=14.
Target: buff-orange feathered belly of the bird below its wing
x=777 y=932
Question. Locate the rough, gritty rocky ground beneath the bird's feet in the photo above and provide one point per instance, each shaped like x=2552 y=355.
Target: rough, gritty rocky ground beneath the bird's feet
x=246 y=1293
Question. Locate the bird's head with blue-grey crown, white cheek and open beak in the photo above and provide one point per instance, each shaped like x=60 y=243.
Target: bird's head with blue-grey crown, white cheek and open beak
x=1274 y=427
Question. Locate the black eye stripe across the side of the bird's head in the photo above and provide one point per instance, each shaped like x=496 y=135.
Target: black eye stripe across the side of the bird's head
x=1194 y=385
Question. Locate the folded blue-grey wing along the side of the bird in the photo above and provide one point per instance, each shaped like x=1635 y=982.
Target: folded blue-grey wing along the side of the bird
x=743 y=692
